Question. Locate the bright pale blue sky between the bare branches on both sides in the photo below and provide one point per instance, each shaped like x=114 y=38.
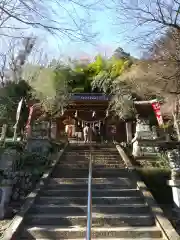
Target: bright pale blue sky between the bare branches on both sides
x=108 y=39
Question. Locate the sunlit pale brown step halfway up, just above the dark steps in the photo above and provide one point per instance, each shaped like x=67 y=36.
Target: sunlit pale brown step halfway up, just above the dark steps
x=75 y=181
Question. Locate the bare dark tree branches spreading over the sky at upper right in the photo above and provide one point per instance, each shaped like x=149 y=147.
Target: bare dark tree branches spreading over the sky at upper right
x=147 y=19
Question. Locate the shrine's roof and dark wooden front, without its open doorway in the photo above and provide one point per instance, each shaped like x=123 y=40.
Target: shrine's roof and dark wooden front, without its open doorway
x=91 y=108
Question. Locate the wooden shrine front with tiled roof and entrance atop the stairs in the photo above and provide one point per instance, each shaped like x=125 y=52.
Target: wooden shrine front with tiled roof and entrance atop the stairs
x=91 y=109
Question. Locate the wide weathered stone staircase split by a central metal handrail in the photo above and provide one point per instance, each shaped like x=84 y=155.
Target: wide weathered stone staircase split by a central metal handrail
x=118 y=208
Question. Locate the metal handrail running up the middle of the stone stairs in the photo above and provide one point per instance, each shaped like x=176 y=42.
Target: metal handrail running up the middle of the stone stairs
x=89 y=203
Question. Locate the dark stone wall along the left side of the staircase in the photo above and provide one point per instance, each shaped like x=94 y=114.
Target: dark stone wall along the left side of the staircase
x=24 y=169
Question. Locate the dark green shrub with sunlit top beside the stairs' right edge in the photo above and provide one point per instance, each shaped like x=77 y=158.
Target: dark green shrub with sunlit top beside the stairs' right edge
x=156 y=181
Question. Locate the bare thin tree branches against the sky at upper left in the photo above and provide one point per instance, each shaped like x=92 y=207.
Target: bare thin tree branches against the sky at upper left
x=20 y=15
